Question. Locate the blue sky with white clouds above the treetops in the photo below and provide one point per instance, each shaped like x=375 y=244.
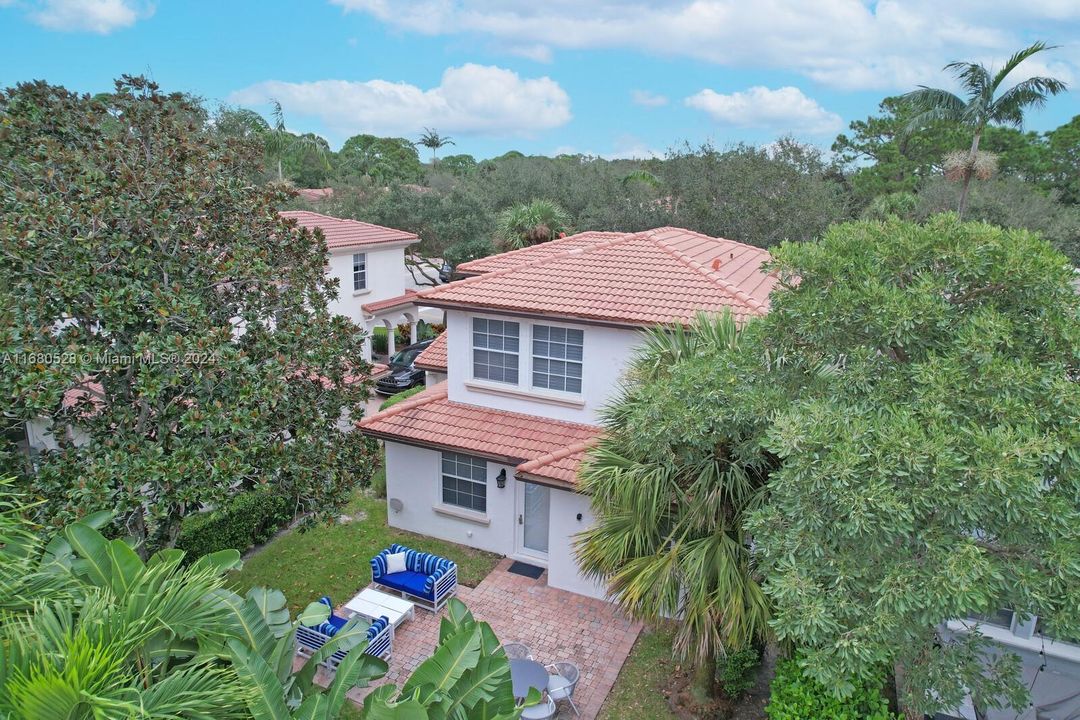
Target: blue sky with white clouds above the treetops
x=565 y=76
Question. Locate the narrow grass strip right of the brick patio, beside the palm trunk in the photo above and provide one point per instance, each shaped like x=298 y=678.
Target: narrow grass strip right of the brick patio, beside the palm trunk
x=638 y=694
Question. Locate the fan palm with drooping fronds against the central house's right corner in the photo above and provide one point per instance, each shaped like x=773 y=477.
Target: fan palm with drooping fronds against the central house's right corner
x=669 y=538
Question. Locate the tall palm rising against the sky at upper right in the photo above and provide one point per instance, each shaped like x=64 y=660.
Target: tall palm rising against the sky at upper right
x=981 y=108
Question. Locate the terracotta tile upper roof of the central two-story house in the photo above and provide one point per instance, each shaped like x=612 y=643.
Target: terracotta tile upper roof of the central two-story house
x=663 y=276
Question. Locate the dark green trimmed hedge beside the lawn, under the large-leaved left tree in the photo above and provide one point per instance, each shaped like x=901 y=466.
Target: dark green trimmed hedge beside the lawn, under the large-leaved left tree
x=248 y=520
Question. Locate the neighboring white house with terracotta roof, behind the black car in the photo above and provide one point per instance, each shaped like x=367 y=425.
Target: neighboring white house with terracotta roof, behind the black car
x=369 y=263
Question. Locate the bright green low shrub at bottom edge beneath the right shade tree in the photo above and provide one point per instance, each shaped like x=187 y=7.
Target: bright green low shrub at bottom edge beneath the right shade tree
x=795 y=697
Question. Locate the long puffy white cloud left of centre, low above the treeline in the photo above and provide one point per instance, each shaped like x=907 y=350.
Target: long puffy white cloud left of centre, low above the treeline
x=471 y=99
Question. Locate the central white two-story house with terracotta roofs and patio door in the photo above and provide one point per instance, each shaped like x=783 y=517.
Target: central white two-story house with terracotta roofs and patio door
x=536 y=345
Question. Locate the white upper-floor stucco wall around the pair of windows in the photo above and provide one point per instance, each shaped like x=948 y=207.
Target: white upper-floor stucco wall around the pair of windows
x=605 y=355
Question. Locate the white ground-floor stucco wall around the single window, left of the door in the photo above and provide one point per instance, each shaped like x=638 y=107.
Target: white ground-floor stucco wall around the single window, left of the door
x=414 y=478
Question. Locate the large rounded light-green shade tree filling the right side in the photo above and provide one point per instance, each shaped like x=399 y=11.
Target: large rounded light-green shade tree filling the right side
x=934 y=473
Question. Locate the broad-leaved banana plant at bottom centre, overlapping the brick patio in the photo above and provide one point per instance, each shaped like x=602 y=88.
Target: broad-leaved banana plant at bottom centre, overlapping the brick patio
x=467 y=678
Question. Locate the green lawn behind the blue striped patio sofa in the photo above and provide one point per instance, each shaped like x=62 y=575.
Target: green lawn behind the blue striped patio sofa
x=334 y=560
